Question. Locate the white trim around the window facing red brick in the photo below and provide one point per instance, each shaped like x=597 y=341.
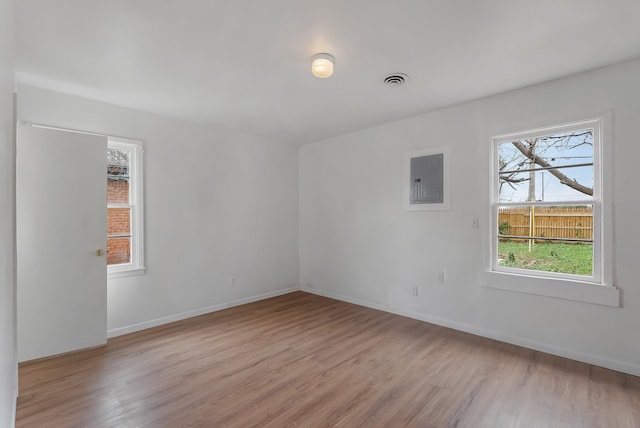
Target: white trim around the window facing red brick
x=136 y=267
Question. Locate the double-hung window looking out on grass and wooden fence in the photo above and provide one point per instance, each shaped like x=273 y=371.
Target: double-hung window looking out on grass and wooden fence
x=547 y=203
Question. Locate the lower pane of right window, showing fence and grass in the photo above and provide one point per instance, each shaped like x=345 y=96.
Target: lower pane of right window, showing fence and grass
x=562 y=238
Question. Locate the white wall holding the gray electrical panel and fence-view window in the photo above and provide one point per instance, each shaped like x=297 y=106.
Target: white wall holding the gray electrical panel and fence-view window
x=358 y=244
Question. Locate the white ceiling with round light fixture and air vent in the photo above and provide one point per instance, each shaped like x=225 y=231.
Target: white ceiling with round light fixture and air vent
x=246 y=63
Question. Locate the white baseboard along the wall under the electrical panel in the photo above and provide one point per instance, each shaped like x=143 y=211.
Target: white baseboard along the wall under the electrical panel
x=595 y=360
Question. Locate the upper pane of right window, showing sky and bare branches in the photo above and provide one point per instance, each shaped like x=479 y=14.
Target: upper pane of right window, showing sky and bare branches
x=551 y=168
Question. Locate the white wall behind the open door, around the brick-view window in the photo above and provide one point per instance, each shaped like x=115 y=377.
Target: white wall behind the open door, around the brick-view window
x=217 y=206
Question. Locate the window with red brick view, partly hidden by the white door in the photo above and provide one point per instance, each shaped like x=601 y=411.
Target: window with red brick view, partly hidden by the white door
x=124 y=208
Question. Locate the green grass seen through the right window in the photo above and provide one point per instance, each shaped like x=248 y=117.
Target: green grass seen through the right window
x=551 y=257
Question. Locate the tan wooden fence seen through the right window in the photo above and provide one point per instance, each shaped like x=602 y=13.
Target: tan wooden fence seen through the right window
x=571 y=223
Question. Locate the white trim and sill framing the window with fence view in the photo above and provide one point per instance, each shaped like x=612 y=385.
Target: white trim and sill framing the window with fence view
x=599 y=288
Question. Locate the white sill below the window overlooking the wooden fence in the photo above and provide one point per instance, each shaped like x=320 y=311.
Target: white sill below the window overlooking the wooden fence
x=553 y=287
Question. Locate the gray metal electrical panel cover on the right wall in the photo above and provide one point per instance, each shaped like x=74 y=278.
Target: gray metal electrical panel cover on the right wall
x=427 y=180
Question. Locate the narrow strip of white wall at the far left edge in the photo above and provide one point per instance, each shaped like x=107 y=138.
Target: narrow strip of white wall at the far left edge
x=8 y=366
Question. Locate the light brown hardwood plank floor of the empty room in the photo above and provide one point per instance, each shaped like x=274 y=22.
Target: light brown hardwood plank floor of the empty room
x=301 y=360
